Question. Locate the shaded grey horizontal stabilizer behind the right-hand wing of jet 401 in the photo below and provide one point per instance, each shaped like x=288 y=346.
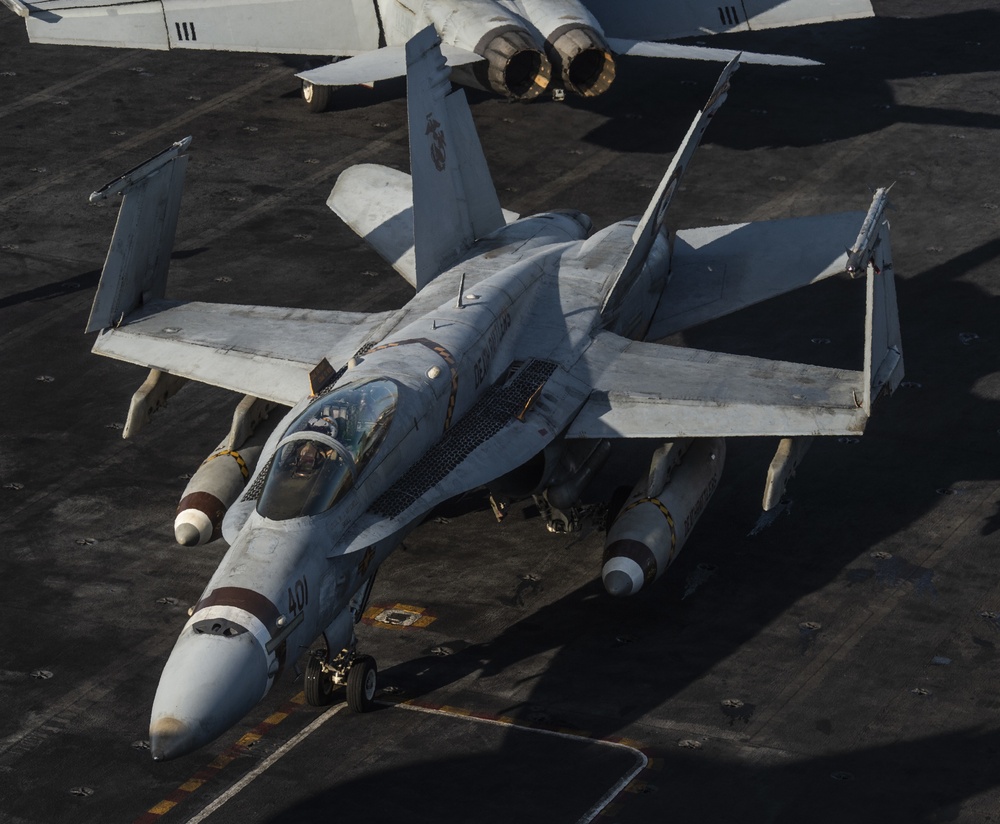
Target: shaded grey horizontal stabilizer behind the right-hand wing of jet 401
x=721 y=269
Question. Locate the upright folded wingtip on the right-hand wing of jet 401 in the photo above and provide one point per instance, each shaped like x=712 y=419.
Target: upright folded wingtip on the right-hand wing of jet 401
x=872 y=255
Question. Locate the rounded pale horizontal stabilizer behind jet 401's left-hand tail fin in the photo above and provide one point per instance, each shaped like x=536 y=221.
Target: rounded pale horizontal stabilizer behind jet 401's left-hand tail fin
x=377 y=203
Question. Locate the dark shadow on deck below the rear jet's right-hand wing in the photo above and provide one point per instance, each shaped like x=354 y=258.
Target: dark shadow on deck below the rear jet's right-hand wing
x=778 y=106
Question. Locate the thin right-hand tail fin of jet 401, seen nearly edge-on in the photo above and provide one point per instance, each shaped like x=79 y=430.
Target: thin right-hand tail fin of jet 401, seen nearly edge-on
x=653 y=218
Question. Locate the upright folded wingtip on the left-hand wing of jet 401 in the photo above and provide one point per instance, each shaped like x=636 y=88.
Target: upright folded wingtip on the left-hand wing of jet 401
x=135 y=271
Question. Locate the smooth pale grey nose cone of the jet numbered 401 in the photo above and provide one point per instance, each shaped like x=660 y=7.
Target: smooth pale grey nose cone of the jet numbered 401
x=208 y=684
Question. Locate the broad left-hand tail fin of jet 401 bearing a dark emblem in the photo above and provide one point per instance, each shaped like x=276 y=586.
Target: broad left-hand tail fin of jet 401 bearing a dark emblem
x=454 y=200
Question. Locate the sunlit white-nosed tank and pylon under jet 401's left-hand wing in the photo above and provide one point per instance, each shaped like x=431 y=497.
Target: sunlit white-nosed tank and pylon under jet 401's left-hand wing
x=223 y=475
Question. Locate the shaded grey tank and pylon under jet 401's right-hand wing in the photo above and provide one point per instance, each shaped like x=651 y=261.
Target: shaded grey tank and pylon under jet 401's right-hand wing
x=660 y=513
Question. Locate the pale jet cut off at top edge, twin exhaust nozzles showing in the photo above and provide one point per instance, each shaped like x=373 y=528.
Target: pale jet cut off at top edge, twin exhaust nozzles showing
x=516 y=48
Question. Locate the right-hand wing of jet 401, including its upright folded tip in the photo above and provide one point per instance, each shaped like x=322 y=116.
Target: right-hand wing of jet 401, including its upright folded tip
x=648 y=390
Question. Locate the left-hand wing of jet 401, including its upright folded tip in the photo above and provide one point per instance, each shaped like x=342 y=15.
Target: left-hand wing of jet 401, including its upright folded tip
x=262 y=351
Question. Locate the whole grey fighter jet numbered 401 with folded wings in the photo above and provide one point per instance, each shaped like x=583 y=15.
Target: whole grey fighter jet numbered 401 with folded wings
x=521 y=363
